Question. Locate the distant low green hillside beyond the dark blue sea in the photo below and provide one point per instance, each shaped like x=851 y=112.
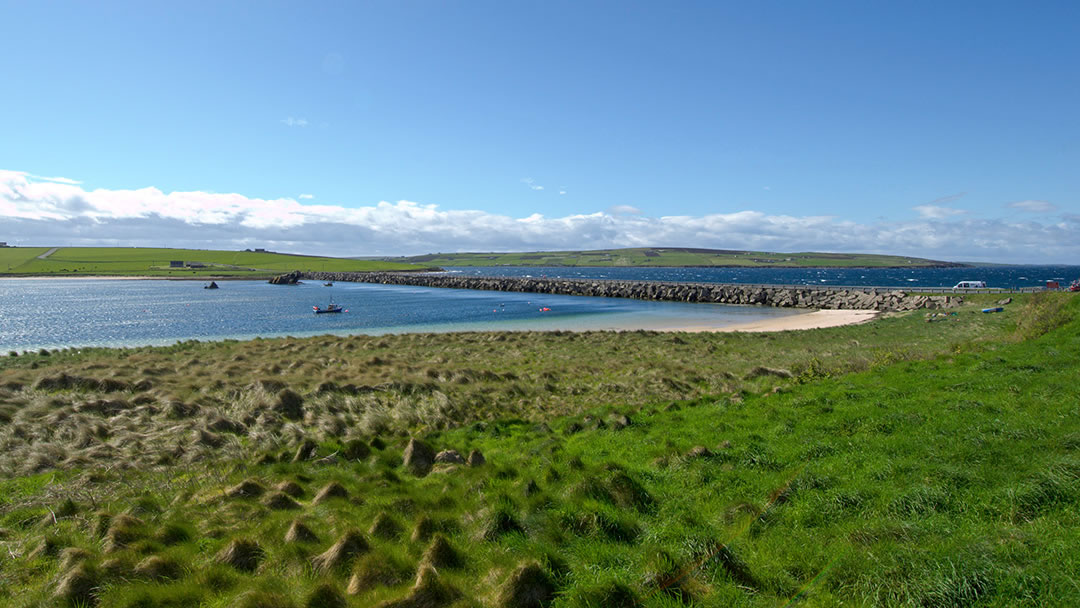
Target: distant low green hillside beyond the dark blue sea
x=671 y=258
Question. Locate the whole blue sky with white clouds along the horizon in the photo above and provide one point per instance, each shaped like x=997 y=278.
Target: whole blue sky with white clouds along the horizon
x=940 y=130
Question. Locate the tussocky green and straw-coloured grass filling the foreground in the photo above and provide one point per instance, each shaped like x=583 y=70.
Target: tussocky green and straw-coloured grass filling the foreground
x=943 y=474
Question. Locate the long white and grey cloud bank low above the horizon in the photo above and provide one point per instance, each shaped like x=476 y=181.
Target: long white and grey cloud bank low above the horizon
x=59 y=212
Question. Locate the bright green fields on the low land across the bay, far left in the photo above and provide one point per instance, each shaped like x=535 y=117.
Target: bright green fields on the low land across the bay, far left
x=156 y=263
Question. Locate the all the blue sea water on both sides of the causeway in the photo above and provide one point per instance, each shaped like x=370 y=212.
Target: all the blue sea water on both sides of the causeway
x=52 y=314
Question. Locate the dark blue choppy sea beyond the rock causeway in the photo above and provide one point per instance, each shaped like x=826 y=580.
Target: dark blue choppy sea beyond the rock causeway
x=1007 y=277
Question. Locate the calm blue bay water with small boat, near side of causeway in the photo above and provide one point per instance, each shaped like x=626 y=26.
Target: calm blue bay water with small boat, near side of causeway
x=52 y=313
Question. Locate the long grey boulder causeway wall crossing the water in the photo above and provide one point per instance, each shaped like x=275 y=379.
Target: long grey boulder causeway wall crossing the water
x=734 y=294
